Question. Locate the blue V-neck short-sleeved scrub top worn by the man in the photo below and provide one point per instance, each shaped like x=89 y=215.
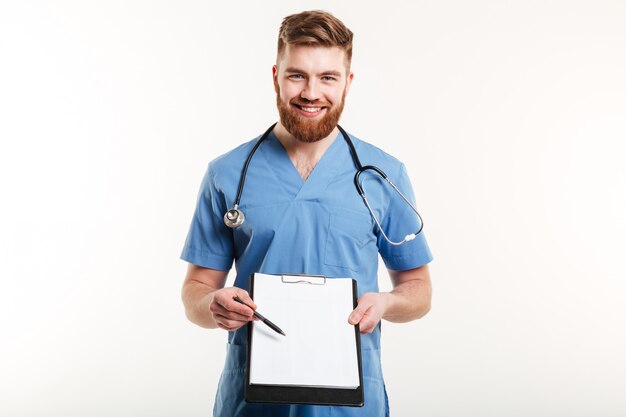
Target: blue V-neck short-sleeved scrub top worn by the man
x=319 y=227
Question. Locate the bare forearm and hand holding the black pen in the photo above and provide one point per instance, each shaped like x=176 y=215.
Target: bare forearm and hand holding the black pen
x=208 y=304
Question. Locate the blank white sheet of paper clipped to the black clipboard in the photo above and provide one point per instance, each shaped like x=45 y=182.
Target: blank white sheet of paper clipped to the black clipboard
x=319 y=348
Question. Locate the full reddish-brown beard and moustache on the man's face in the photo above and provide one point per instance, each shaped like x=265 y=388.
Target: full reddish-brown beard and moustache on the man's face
x=307 y=130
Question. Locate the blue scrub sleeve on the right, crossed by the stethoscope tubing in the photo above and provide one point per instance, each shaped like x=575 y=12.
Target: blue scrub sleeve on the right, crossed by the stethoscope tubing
x=398 y=221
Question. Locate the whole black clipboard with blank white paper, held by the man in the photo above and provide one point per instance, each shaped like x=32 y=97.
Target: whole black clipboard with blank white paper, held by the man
x=278 y=377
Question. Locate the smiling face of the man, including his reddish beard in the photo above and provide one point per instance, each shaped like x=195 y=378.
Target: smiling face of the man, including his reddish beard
x=311 y=84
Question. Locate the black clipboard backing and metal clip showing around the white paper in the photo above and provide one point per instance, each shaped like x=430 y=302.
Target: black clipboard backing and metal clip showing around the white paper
x=285 y=394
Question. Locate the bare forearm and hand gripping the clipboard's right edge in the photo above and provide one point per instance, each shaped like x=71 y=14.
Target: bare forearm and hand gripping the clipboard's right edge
x=409 y=300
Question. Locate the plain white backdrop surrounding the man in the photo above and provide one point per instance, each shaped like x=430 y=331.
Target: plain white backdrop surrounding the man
x=510 y=117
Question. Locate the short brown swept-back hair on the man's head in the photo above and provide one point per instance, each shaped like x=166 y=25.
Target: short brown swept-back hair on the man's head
x=315 y=28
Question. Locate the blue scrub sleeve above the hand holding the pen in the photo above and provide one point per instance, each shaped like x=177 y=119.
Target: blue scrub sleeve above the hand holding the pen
x=209 y=242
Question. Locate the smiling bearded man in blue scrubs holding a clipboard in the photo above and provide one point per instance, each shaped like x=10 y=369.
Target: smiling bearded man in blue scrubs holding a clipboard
x=303 y=215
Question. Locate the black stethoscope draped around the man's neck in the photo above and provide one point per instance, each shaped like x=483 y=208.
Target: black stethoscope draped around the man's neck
x=235 y=217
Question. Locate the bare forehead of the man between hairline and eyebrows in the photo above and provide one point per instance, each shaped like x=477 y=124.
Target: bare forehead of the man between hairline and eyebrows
x=312 y=59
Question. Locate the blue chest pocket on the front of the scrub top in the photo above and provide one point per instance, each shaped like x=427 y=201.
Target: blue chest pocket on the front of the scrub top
x=348 y=235
